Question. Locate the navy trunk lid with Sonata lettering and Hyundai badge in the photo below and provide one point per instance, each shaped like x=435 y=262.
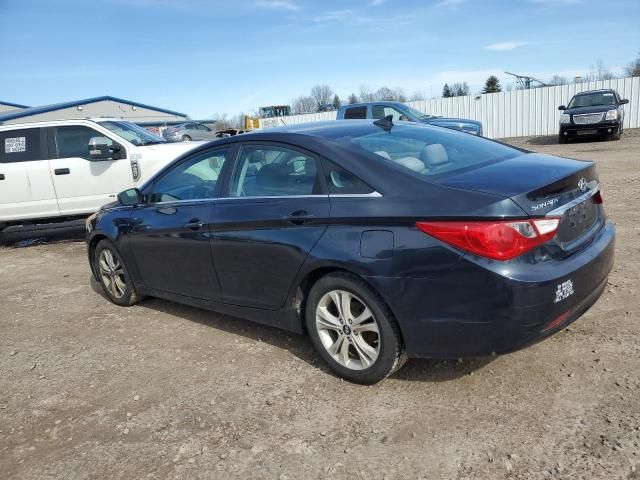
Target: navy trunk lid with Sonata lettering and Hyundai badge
x=543 y=185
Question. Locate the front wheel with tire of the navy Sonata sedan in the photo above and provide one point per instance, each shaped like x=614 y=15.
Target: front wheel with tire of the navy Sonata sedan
x=113 y=276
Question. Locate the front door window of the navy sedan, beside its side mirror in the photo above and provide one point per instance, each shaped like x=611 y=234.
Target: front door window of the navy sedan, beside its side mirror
x=194 y=179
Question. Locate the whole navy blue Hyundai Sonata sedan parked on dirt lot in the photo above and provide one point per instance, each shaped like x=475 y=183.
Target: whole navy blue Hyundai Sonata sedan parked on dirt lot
x=380 y=241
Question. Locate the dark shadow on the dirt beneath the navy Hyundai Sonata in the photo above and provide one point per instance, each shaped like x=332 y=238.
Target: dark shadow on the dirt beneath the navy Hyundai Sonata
x=424 y=370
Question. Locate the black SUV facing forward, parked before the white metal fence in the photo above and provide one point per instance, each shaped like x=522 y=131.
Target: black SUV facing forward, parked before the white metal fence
x=591 y=113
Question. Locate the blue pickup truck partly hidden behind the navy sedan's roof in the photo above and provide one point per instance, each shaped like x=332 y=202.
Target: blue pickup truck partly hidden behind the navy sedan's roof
x=402 y=112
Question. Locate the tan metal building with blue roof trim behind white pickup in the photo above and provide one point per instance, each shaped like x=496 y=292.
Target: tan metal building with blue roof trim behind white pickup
x=106 y=106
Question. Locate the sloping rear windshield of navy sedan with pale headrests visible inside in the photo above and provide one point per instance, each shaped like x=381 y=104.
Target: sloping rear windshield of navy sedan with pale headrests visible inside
x=427 y=150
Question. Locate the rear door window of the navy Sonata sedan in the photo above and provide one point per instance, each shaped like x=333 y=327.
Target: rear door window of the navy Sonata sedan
x=273 y=171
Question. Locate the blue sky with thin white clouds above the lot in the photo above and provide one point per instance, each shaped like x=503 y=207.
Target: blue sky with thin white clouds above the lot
x=204 y=57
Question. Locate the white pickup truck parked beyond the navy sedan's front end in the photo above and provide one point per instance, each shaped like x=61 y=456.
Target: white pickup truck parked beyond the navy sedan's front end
x=65 y=169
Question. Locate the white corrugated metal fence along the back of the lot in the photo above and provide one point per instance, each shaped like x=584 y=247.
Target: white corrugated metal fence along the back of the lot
x=519 y=113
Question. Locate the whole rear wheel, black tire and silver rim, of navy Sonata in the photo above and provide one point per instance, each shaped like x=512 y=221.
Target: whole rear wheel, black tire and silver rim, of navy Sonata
x=364 y=344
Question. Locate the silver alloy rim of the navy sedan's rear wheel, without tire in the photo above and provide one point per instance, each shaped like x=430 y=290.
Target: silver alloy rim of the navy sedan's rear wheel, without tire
x=348 y=330
